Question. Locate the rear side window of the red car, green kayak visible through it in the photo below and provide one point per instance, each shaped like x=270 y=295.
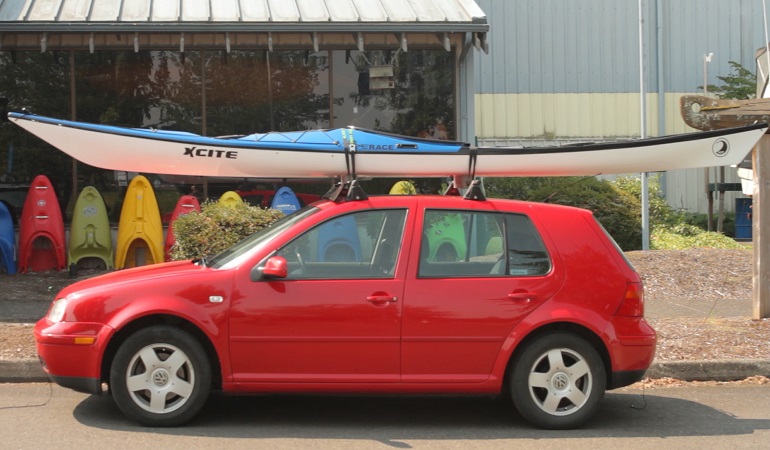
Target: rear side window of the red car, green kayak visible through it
x=476 y=244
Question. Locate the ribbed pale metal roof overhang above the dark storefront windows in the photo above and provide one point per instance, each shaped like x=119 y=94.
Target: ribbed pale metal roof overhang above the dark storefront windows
x=23 y=22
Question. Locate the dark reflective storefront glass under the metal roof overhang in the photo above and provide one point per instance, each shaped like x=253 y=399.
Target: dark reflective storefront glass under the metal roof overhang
x=213 y=93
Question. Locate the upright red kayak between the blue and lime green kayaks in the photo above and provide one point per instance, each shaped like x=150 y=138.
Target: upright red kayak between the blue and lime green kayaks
x=41 y=230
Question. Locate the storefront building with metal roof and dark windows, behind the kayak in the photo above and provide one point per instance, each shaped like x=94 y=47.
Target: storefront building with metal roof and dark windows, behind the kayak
x=230 y=67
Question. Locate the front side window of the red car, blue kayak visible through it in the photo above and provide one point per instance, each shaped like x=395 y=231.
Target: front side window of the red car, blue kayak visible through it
x=359 y=245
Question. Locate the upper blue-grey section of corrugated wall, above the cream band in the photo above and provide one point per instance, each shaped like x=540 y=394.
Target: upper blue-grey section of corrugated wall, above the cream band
x=586 y=46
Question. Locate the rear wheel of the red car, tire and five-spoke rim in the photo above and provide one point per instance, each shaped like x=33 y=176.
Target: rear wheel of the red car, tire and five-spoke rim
x=558 y=381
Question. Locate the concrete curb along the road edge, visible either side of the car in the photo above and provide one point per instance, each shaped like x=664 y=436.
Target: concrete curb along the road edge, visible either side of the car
x=30 y=370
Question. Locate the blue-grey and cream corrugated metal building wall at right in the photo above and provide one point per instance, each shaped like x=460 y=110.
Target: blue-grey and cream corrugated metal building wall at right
x=565 y=70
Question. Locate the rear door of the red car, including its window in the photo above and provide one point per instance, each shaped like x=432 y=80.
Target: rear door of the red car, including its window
x=479 y=273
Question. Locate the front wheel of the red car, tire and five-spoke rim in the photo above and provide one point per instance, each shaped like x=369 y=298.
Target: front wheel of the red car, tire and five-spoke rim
x=160 y=377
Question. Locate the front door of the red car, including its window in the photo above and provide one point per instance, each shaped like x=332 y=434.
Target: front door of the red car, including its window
x=336 y=316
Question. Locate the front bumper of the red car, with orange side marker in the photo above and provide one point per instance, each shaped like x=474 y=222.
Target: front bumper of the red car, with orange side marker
x=71 y=353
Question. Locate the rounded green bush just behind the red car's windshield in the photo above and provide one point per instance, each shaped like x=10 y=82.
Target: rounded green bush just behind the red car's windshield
x=217 y=227
